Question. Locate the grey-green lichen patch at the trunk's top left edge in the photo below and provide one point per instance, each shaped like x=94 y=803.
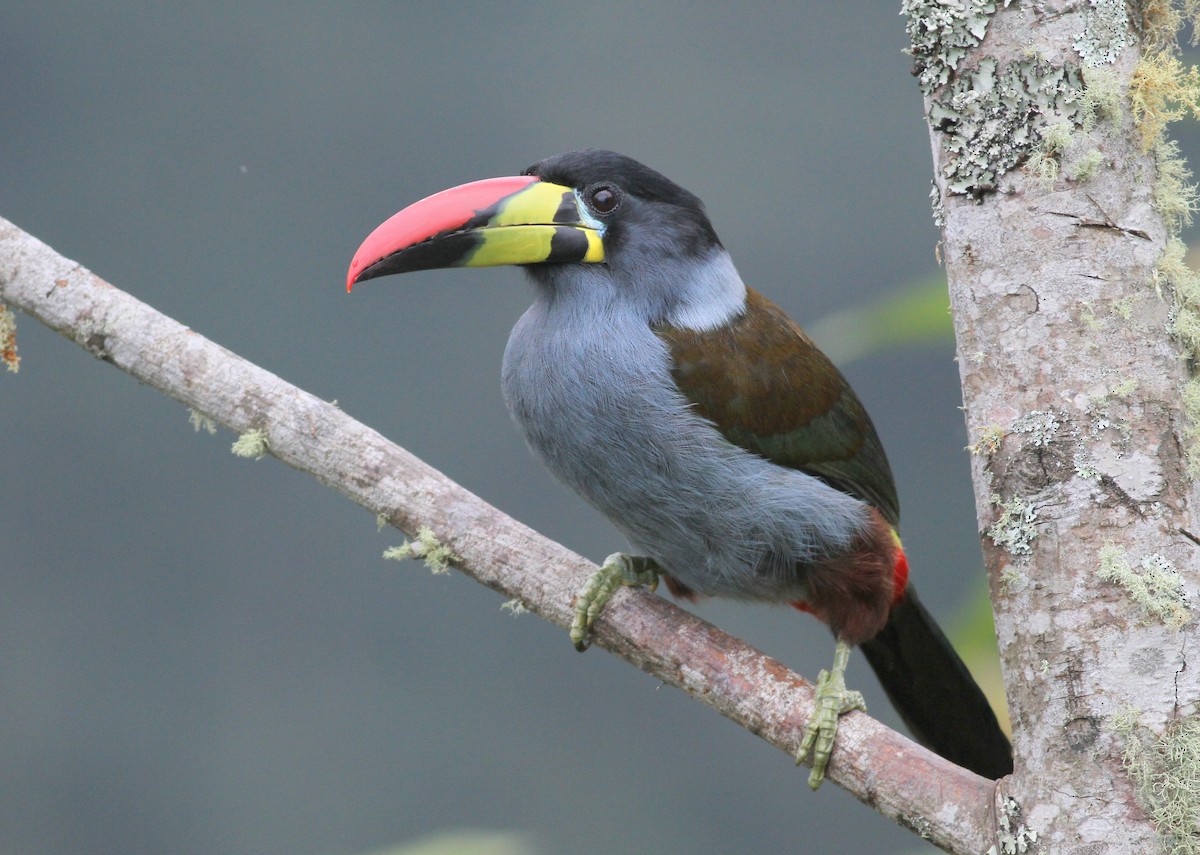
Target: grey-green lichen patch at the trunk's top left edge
x=941 y=33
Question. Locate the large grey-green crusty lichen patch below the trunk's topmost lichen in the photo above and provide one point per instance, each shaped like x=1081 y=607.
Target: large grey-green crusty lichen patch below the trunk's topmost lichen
x=992 y=118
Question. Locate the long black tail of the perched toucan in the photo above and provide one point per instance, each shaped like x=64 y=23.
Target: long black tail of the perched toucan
x=934 y=693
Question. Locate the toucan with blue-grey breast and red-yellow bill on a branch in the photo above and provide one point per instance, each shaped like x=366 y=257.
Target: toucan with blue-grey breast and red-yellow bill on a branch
x=700 y=420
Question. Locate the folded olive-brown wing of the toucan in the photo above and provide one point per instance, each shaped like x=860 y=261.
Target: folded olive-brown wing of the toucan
x=770 y=390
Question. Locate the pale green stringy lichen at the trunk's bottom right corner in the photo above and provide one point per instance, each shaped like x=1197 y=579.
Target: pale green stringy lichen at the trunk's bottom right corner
x=1166 y=774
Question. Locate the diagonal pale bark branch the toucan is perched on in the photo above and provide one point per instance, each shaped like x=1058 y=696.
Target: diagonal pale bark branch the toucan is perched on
x=950 y=806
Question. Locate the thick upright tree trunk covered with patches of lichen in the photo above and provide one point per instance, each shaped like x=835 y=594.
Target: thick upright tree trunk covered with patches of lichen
x=1060 y=205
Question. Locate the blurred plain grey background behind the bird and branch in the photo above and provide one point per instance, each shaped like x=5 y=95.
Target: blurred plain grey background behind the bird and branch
x=201 y=654
